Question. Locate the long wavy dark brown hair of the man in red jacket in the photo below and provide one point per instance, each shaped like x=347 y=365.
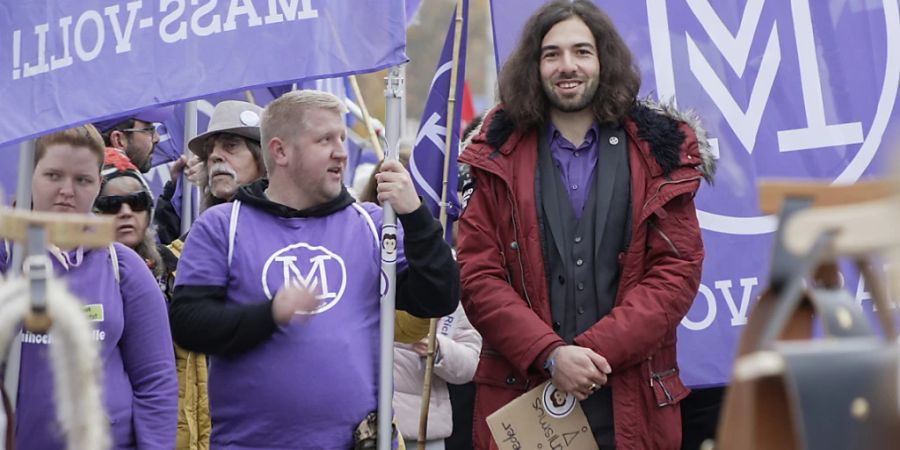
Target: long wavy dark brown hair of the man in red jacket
x=521 y=92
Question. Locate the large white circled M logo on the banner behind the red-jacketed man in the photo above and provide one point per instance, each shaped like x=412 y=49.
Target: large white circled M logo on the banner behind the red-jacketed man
x=745 y=120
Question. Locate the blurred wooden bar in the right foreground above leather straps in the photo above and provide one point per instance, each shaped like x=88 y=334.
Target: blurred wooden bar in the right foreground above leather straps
x=773 y=192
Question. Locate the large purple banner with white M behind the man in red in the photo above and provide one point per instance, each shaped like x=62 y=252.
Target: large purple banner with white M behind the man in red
x=797 y=89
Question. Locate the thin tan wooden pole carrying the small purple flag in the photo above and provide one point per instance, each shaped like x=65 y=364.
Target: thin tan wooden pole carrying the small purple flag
x=448 y=142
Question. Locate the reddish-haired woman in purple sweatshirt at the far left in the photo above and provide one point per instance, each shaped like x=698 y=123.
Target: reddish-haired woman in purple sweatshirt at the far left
x=128 y=310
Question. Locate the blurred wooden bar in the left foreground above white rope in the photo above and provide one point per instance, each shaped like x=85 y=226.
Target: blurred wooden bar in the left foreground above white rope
x=63 y=230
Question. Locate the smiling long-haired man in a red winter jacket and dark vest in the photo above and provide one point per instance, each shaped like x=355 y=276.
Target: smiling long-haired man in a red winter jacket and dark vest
x=579 y=246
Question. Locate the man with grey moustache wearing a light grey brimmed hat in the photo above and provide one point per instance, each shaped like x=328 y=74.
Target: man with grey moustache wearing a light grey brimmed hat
x=227 y=156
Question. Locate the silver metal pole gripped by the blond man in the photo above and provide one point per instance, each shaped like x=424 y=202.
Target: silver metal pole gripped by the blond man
x=393 y=93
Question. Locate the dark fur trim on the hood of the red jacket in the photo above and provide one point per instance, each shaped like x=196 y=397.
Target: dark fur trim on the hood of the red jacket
x=657 y=123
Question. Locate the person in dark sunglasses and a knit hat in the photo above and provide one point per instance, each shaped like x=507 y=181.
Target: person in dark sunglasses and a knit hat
x=124 y=193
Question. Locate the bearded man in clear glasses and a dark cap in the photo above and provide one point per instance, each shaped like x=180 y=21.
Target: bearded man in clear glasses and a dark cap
x=135 y=135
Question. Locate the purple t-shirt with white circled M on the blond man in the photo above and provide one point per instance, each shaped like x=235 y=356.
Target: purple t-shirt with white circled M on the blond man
x=315 y=380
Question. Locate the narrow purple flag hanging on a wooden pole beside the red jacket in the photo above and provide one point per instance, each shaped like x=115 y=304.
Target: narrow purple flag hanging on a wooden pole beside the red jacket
x=427 y=161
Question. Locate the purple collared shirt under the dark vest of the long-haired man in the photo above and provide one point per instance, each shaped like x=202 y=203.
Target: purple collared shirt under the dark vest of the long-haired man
x=576 y=164
